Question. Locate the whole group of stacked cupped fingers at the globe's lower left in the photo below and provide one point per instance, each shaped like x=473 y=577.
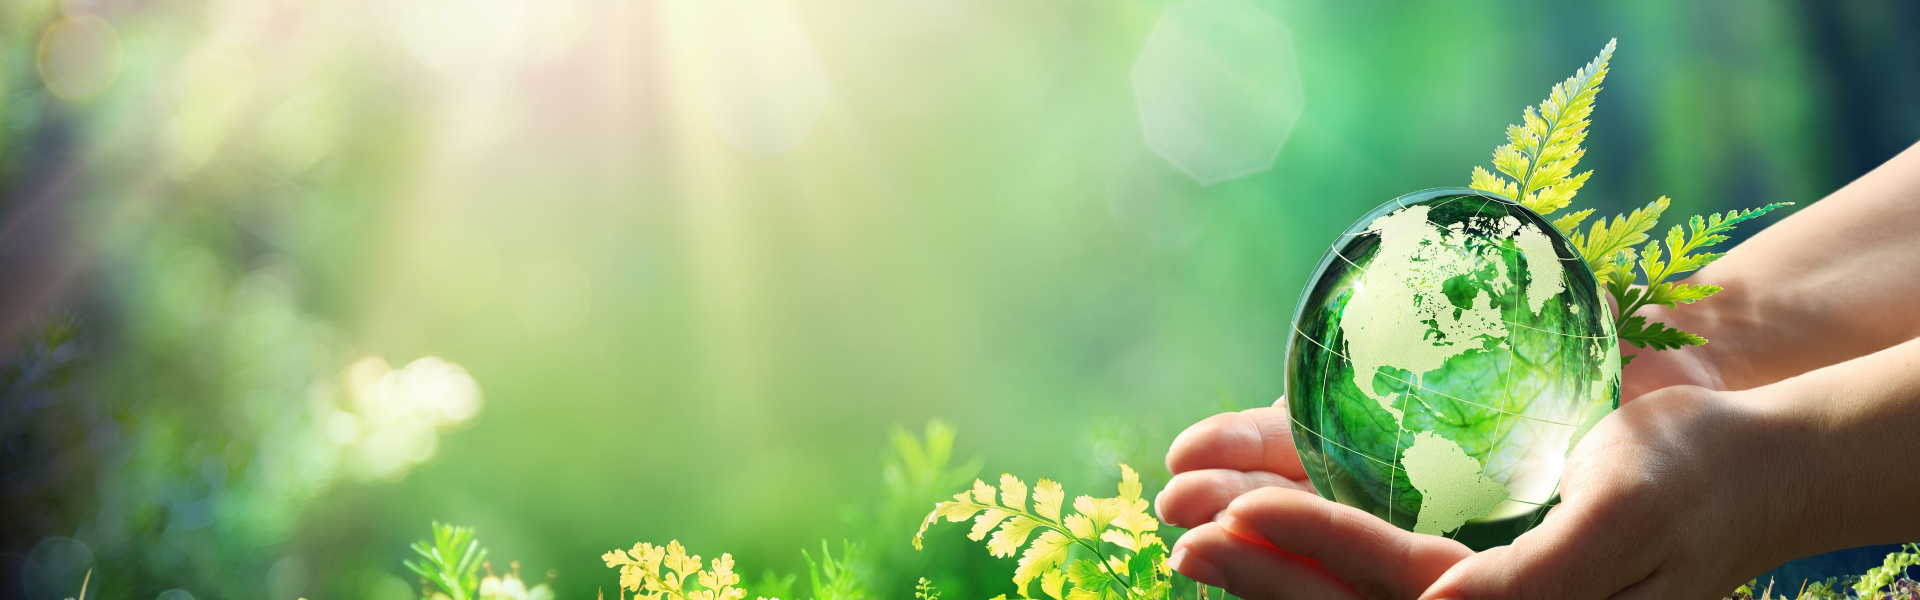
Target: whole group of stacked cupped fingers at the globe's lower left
x=1260 y=532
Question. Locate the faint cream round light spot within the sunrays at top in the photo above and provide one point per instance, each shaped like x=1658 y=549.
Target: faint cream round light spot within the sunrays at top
x=765 y=87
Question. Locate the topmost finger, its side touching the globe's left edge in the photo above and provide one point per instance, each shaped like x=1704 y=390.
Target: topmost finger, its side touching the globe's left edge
x=1247 y=441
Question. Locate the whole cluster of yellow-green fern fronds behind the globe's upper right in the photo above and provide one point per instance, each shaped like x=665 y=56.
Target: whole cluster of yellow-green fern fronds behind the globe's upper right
x=1537 y=170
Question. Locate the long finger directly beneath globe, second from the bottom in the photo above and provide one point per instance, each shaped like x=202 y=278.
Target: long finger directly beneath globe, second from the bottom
x=1374 y=557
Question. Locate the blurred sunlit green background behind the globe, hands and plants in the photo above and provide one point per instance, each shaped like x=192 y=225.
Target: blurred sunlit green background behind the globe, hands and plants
x=287 y=280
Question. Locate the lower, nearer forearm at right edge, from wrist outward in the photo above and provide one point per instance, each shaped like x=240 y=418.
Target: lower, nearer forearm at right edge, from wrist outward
x=1850 y=443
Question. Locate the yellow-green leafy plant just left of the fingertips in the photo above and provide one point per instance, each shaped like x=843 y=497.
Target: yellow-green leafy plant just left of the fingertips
x=1120 y=553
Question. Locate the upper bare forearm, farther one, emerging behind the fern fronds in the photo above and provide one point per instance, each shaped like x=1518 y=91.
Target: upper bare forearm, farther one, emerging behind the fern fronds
x=1835 y=282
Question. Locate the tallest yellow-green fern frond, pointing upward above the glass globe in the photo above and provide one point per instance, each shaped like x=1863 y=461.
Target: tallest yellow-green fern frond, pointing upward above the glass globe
x=1541 y=155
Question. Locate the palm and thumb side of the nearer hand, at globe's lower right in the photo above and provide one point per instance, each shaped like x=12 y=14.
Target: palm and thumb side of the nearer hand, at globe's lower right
x=1677 y=495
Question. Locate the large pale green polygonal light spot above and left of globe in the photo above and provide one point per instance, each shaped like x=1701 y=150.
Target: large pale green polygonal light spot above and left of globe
x=1218 y=87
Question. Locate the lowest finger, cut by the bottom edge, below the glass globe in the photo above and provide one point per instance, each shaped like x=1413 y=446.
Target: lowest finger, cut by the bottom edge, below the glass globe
x=1253 y=570
